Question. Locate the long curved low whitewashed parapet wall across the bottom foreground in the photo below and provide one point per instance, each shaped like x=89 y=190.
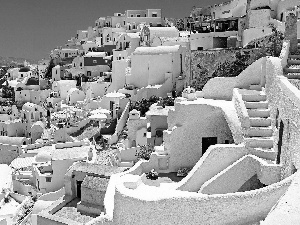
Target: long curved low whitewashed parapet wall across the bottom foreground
x=177 y=207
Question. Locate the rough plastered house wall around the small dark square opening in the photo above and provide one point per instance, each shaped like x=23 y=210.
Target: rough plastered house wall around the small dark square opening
x=189 y=124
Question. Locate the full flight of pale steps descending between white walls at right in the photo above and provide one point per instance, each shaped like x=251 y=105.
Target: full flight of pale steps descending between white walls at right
x=259 y=134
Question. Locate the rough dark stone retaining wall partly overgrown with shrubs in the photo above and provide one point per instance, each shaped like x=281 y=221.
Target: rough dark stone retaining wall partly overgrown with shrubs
x=207 y=64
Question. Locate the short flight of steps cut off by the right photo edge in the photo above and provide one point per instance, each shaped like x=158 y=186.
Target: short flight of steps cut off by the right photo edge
x=292 y=70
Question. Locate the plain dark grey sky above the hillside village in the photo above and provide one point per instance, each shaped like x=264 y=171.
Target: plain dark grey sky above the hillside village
x=31 y=28
